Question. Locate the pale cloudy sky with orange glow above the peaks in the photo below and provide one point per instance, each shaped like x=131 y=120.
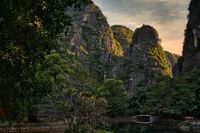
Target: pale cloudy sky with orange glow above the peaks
x=168 y=17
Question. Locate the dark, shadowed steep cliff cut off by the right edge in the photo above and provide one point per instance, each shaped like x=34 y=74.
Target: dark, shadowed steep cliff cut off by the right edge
x=191 y=52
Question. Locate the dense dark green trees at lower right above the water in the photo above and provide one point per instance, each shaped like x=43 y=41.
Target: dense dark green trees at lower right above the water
x=176 y=97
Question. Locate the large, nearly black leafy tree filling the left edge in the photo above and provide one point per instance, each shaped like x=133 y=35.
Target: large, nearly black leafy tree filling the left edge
x=29 y=30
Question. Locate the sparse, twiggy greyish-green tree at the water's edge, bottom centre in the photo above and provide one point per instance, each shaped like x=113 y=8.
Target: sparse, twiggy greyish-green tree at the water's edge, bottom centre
x=82 y=110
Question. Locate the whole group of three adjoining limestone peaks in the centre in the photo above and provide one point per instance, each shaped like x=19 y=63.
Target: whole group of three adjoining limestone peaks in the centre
x=93 y=39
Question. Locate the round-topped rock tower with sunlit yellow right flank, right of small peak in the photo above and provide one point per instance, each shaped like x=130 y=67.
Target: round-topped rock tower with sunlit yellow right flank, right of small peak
x=147 y=58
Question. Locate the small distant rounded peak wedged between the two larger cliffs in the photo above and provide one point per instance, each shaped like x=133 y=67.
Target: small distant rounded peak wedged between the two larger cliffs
x=124 y=36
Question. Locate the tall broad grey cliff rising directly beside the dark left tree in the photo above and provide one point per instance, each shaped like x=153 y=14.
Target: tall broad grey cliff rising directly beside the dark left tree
x=92 y=38
